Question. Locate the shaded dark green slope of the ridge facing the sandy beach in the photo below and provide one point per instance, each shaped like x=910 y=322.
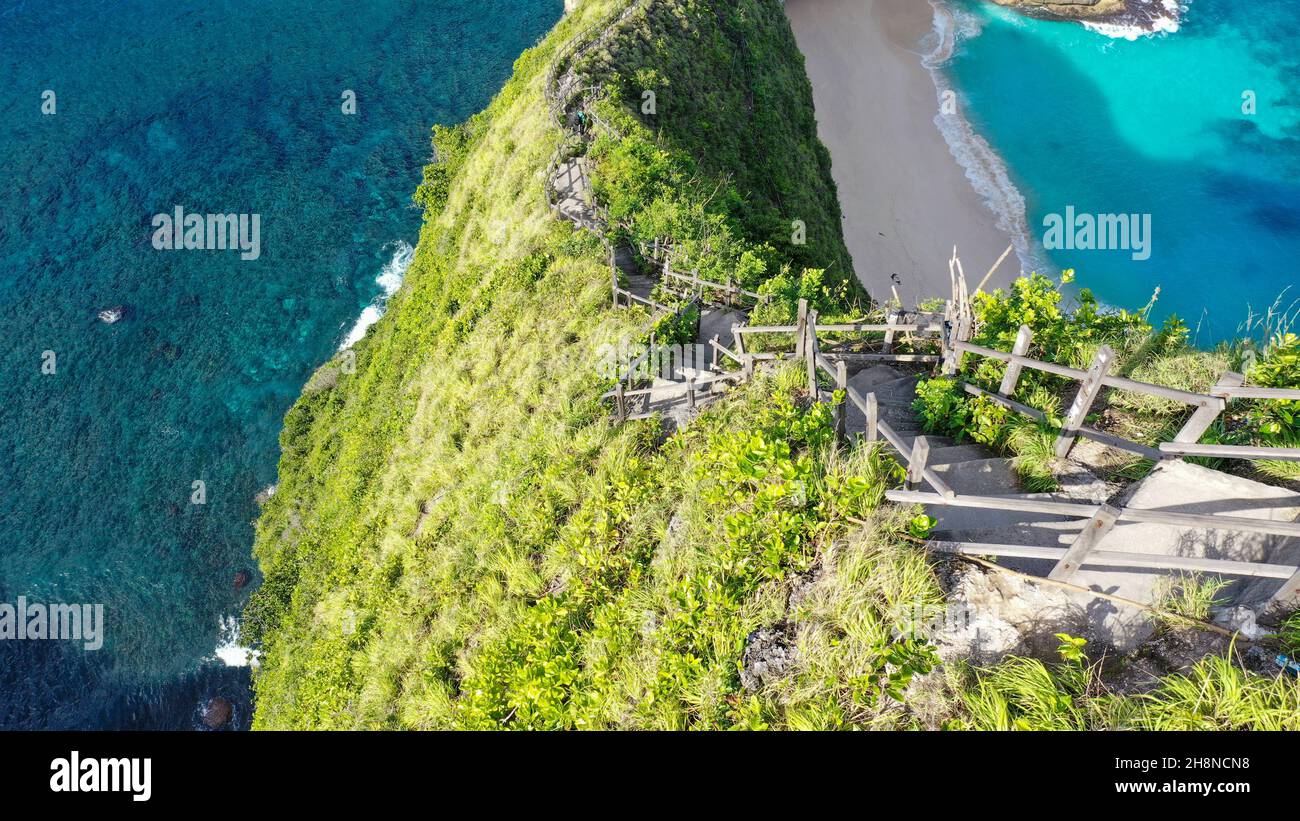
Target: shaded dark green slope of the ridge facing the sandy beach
x=723 y=84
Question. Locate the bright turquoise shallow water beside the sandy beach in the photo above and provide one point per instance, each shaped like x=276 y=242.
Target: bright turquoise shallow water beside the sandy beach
x=1154 y=127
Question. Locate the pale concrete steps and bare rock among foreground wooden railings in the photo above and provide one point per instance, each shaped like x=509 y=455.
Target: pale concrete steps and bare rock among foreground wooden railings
x=1012 y=618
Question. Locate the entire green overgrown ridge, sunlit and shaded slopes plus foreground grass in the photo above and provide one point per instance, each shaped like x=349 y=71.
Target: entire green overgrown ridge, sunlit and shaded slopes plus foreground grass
x=461 y=538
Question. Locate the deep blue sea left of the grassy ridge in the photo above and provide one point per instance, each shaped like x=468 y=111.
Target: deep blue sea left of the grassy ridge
x=223 y=106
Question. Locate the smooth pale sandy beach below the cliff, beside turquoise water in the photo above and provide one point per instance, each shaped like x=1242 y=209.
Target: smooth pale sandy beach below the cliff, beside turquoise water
x=907 y=202
